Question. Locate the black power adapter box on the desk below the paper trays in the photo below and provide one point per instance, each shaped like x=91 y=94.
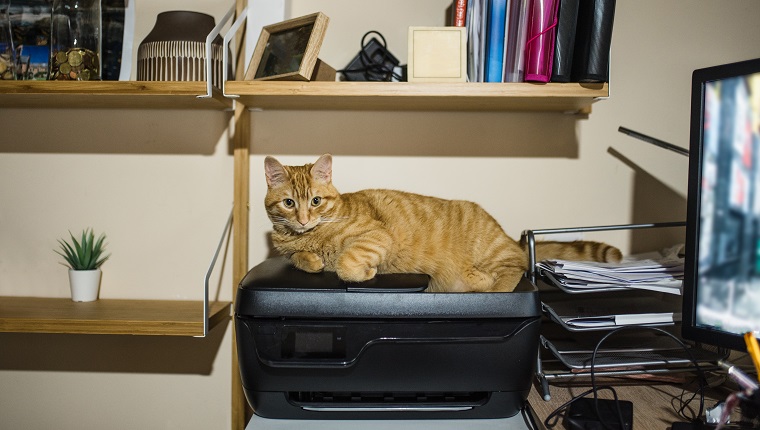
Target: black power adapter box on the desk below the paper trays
x=582 y=415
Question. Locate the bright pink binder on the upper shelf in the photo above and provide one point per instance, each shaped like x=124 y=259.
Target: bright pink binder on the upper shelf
x=539 y=48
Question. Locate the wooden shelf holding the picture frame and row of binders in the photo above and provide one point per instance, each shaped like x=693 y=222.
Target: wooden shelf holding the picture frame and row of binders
x=553 y=97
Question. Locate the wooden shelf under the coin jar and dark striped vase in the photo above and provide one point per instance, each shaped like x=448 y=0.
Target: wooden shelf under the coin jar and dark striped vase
x=109 y=94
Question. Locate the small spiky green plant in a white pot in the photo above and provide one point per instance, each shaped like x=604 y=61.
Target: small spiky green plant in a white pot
x=84 y=258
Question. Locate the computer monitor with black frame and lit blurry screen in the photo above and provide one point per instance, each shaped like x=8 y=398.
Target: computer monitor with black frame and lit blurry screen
x=721 y=294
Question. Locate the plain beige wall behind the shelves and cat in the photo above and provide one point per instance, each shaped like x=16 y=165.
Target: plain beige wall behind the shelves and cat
x=160 y=184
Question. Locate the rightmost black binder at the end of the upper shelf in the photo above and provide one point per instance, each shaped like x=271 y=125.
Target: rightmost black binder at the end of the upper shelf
x=591 y=58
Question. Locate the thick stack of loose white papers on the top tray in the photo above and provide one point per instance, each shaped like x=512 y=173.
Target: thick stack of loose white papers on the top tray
x=664 y=275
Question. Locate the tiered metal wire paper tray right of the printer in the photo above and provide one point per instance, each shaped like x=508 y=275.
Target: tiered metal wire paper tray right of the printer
x=566 y=350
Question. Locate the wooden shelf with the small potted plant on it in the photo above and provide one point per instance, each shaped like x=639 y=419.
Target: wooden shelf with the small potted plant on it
x=108 y=316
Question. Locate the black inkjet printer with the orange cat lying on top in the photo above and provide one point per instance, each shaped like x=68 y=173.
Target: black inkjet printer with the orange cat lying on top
x=311 y=346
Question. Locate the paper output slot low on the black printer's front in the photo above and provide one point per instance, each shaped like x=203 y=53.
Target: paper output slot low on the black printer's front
x=323 y=401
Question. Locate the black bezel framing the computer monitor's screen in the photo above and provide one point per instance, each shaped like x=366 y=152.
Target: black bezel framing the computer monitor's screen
x=690 y=329
